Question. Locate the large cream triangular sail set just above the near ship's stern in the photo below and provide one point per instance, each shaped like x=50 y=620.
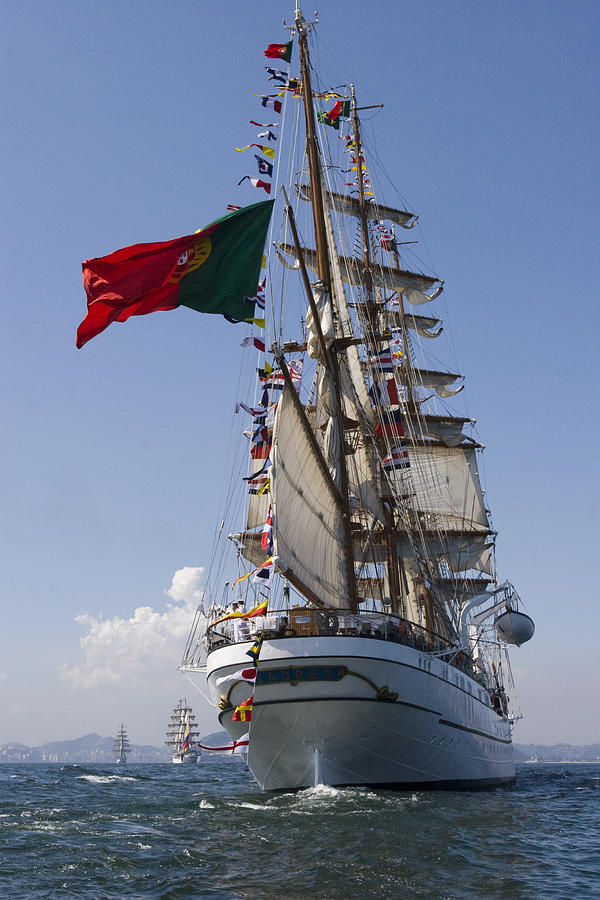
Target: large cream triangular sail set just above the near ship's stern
x=308 y=527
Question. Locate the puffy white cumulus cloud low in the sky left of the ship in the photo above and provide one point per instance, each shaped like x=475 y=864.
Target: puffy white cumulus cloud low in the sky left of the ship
x=149 y=642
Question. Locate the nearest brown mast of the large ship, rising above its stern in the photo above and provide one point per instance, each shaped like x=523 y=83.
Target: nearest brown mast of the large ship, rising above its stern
x=324 y=274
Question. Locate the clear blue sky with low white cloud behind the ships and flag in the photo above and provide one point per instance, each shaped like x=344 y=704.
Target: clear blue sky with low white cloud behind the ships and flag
x=119 y=123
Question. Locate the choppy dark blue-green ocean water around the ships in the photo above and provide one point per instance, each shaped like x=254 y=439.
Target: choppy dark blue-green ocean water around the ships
x=207 y=831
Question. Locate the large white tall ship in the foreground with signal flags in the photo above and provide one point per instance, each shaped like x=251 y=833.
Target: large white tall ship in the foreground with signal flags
x=364 y=551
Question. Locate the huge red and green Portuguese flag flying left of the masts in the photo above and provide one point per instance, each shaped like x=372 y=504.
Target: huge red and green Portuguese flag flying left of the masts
x=215 y=270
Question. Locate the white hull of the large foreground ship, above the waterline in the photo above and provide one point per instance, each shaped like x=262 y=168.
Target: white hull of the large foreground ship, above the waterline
x=376 y=712
